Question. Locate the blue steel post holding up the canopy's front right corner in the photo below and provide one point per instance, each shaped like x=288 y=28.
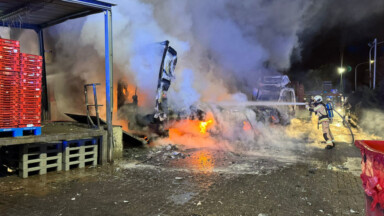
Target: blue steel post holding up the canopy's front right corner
x=109 y=79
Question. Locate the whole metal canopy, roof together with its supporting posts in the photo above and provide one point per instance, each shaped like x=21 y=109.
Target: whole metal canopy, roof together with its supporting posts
x=40 y=14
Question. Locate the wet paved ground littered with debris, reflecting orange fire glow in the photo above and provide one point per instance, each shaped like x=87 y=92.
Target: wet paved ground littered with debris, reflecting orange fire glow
x=179 y=180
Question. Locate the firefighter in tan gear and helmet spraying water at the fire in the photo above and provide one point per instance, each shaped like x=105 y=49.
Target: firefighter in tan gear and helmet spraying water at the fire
x=320 y=110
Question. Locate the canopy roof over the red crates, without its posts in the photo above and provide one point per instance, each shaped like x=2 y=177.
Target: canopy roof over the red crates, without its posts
x=37 y=14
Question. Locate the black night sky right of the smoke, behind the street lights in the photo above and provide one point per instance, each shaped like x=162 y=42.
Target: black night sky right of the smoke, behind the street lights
x=337 y=35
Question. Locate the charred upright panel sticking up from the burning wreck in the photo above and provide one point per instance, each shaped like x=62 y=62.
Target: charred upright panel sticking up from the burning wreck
x=167 y=74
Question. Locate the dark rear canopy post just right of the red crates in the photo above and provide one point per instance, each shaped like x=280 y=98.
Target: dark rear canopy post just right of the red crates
x=44 y=97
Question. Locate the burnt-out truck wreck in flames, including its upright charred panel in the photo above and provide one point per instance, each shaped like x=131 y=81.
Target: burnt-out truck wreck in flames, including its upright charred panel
x=163 y=120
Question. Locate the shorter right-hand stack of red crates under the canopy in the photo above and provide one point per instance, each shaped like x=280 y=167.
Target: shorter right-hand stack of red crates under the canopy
x=30 y=95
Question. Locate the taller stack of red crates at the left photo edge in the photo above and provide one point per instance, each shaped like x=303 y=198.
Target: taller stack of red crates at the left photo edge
x=9 y=83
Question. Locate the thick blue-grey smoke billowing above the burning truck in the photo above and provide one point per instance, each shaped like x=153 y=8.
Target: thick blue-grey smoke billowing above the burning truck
x=223 y=47
